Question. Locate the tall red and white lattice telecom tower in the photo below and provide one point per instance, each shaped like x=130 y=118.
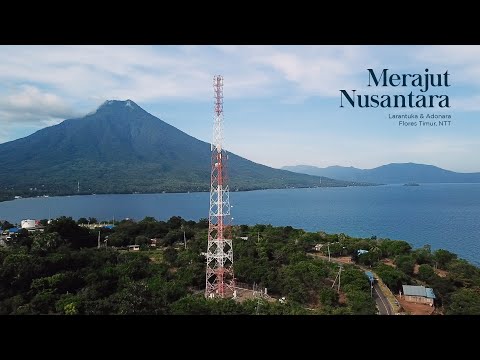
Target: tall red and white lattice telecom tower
x=219 y=274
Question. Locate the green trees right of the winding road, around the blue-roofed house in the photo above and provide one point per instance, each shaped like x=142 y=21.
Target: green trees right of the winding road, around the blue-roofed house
x=456 y=282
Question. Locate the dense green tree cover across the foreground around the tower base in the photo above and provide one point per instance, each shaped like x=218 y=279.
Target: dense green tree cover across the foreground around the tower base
x=60 y=271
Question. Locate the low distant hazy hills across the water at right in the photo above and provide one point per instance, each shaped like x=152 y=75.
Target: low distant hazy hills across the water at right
x=390 y=174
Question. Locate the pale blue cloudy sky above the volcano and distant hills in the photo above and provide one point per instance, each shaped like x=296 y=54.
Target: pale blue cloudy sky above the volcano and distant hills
x=281 y=105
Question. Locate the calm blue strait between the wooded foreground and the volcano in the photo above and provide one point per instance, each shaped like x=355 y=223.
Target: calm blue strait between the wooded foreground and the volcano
x=443 y=215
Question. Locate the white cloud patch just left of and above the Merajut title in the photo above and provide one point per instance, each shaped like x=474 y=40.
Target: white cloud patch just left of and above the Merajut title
x=312 y=70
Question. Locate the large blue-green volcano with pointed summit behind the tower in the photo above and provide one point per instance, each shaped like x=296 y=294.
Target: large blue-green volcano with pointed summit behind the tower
x=121 y=148
